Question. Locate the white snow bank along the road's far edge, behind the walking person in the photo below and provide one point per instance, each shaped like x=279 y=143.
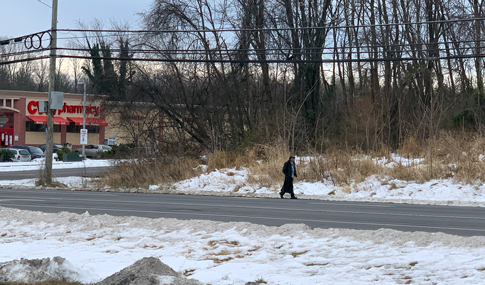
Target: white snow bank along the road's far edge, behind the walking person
x=374 y=189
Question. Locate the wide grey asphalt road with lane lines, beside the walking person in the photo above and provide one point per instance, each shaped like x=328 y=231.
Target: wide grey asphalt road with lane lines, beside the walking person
x=465 y=221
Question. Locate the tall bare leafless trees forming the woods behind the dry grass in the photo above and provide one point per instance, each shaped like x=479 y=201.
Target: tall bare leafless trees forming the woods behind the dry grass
x=309 y=73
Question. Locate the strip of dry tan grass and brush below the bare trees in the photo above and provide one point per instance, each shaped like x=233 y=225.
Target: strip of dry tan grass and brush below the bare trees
x=458 y=156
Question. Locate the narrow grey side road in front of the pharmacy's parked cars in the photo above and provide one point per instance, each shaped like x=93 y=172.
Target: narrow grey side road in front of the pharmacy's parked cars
x=27 y=174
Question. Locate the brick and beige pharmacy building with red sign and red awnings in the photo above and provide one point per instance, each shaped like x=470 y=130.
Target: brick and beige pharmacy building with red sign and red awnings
x=27 y=124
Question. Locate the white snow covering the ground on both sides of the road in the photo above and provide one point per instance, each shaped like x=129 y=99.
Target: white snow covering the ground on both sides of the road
x=235 y=253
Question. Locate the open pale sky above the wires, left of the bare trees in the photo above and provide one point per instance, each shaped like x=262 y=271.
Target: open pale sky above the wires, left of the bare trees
x=23 y=17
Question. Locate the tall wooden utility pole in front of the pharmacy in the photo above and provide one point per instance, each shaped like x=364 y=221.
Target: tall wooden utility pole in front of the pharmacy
x=50 y=112
